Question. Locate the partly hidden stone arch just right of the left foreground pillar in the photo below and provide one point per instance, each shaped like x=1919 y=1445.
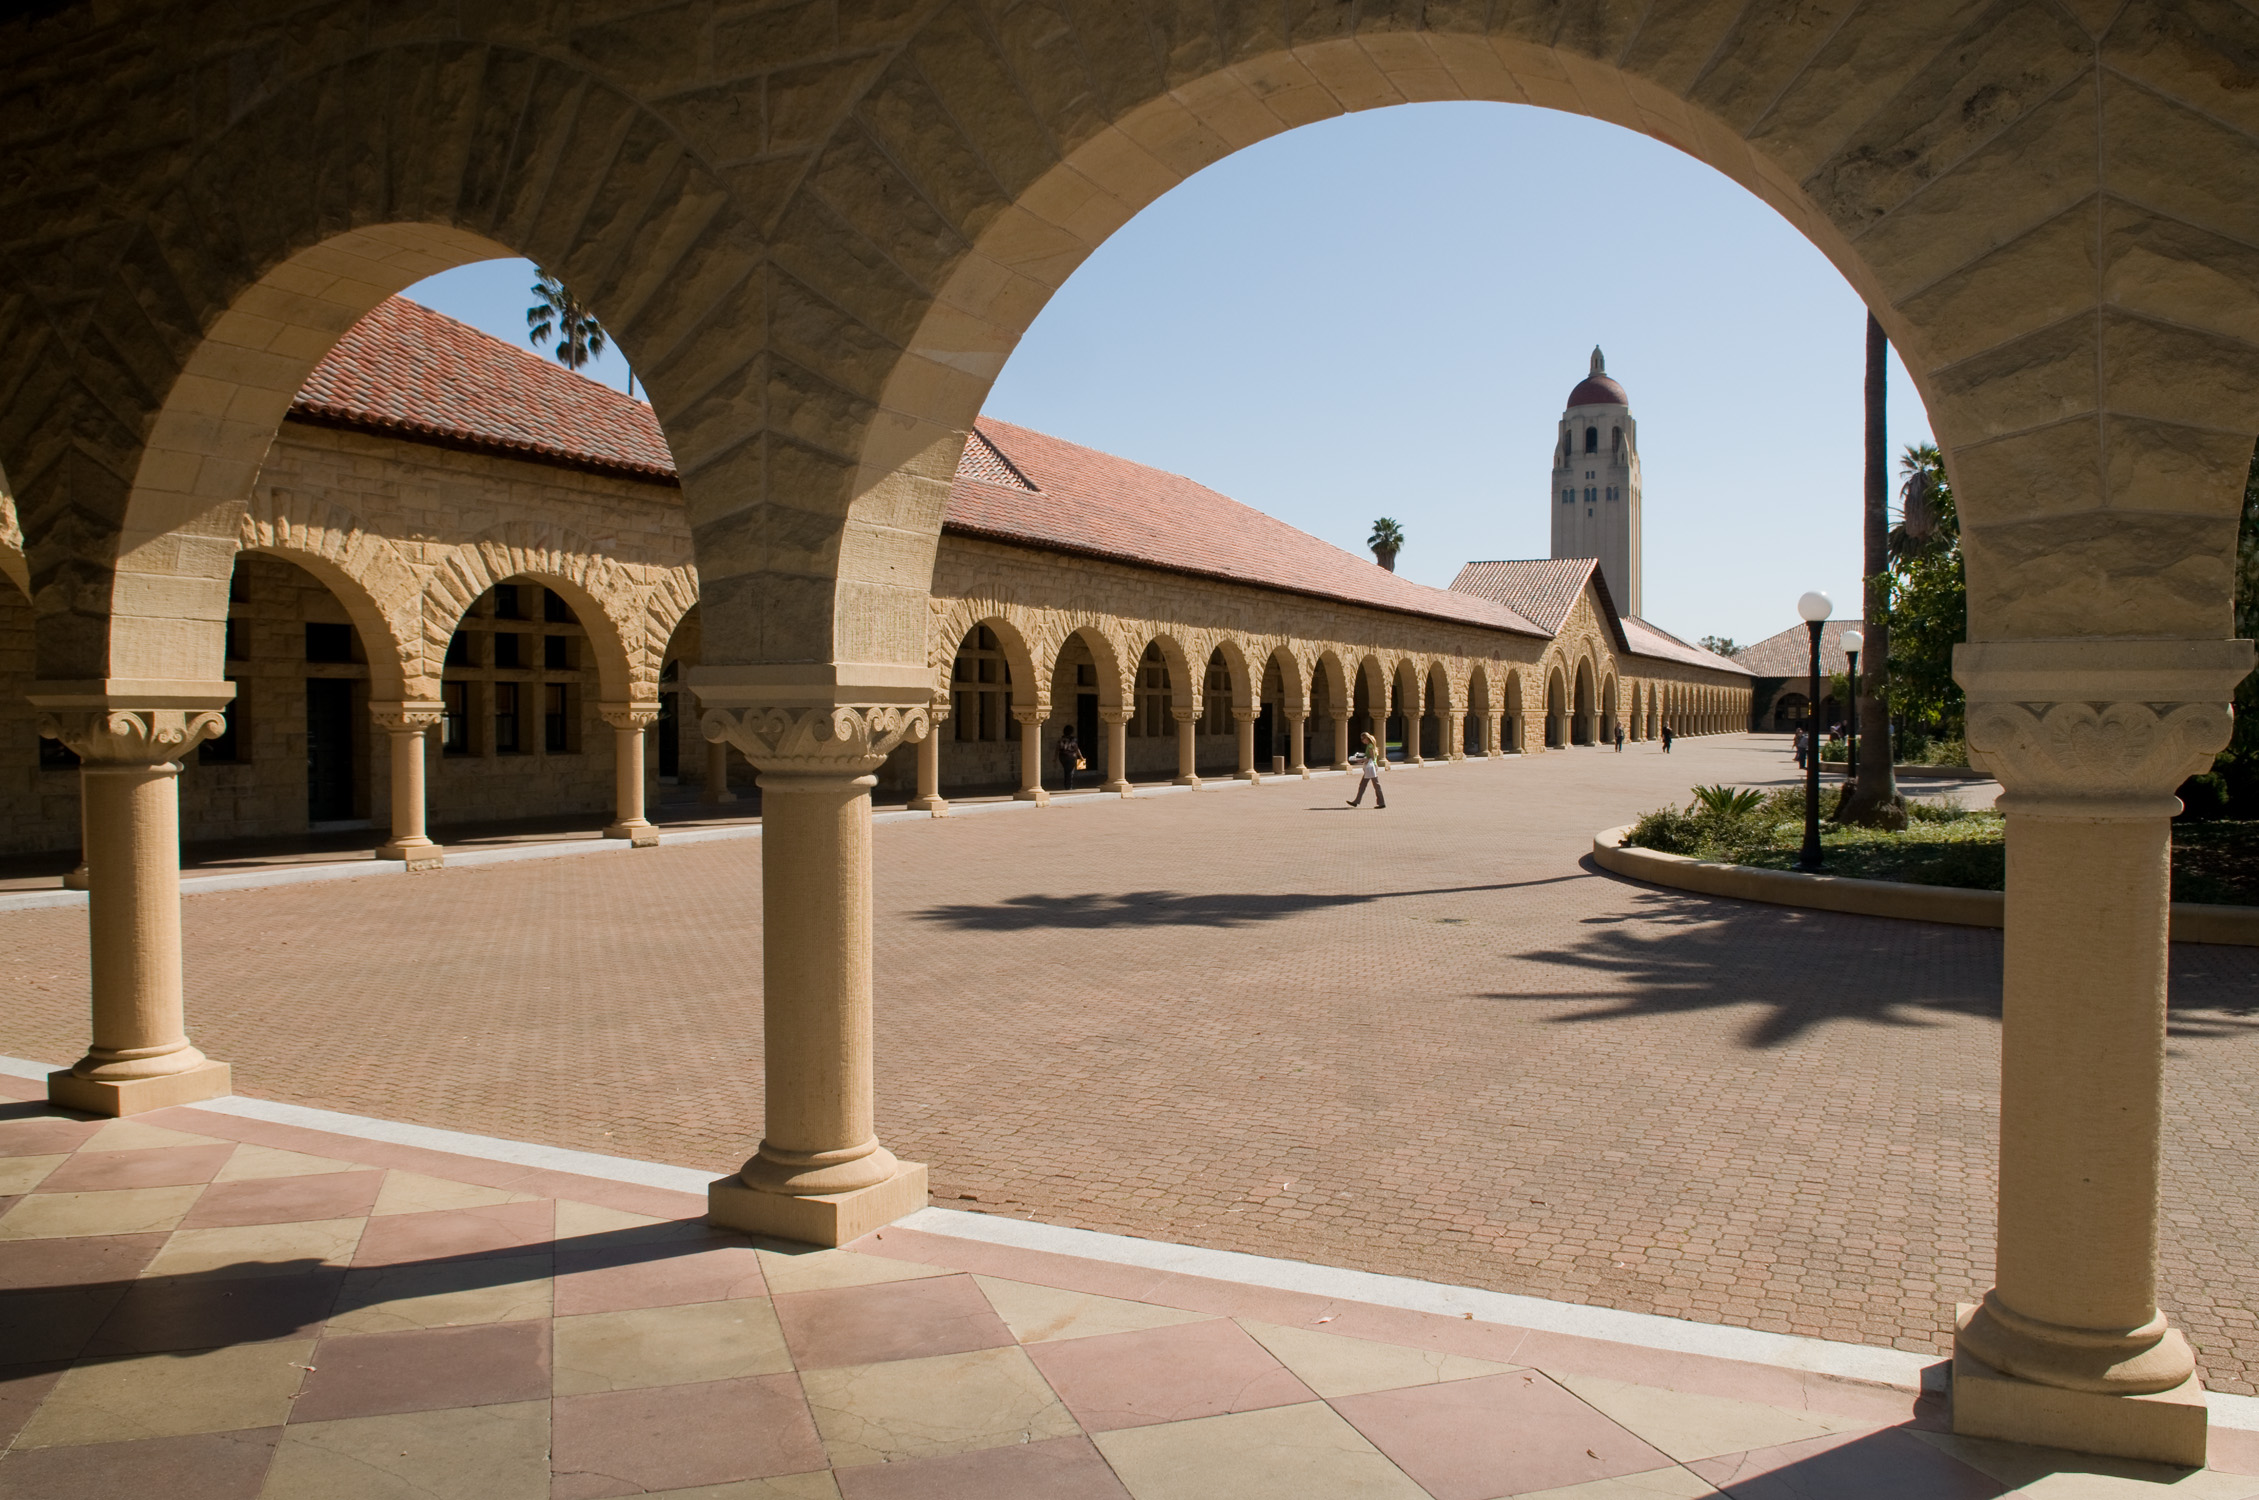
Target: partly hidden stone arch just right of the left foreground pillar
x=363 y=570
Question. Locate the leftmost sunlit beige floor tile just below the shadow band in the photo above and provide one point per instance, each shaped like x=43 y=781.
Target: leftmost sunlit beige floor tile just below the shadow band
x=171 y=1395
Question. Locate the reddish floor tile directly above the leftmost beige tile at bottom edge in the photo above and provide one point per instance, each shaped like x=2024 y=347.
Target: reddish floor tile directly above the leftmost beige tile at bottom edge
x=369 y=1375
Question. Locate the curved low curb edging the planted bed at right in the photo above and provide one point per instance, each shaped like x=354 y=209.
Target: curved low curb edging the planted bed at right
x=2192 y=923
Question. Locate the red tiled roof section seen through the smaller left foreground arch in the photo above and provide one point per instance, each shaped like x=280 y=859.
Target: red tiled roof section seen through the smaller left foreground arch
x=419 y=374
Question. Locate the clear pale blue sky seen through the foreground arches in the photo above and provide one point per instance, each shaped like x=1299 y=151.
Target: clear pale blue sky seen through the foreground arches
x=1384 y=315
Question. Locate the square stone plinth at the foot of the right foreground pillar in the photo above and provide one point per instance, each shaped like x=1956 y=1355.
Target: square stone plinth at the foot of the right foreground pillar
x=2158 y=1429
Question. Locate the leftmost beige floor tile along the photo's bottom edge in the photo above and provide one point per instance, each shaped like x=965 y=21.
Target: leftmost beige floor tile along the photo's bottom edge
x=464 y=1454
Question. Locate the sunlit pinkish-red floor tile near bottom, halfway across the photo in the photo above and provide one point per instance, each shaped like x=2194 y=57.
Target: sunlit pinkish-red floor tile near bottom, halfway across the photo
x=1165 y=1375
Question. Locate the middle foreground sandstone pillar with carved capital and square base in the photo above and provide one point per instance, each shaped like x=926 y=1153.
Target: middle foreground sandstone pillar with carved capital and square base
x=821 y=1174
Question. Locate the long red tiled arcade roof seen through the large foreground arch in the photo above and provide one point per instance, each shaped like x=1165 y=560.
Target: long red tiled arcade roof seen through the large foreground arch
x=1097 y=505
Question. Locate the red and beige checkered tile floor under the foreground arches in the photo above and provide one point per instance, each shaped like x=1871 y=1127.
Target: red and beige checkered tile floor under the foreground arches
x=202 y=1307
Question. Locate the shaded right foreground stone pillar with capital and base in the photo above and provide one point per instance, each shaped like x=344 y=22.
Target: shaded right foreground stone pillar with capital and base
x=2088 y=742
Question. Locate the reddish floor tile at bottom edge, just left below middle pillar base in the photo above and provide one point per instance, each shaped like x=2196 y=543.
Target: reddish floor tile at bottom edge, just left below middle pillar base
x=681 y=1436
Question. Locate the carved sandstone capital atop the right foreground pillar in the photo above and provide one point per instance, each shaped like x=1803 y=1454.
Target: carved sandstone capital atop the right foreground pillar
x=2097 y=729
